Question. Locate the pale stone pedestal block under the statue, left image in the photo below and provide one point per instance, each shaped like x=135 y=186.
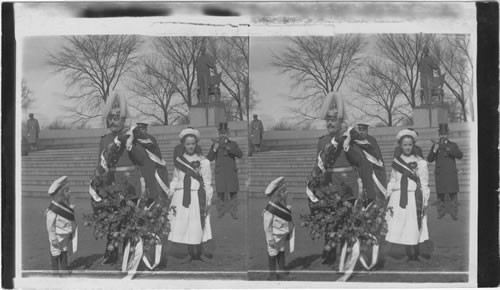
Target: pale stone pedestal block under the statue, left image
x=207 y=115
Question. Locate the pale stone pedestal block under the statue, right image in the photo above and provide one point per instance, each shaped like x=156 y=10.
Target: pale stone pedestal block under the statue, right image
x=429 y=116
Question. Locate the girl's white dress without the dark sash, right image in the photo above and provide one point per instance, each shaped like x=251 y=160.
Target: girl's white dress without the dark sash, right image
x=402 y=224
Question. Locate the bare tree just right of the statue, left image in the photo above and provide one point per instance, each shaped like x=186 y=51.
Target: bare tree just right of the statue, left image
x=232 y=58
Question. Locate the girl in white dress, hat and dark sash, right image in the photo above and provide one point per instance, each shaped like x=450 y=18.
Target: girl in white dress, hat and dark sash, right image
x=408 y=194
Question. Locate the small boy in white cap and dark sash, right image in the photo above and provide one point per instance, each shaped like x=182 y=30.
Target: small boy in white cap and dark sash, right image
x=278 y=227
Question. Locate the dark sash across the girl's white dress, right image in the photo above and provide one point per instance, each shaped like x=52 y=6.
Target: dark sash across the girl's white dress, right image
x=404 y=168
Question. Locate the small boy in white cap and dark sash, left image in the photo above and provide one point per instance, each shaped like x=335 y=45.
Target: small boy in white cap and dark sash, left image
x=61 y=225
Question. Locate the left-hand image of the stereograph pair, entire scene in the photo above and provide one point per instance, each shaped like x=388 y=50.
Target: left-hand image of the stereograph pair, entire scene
x=133 y=156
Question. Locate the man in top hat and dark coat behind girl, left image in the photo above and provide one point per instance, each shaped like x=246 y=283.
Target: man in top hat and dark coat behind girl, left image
x=225 y=151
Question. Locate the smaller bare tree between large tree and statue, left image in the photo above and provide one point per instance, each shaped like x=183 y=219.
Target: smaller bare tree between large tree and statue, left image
x=155 y=96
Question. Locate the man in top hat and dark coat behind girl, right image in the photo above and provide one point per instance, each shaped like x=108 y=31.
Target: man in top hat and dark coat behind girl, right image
x=445 y=152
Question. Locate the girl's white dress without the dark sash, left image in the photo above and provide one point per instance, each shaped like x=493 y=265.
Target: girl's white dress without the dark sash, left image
x=185 y=225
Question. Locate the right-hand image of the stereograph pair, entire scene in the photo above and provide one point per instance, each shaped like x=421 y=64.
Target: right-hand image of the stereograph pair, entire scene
x=361 y=157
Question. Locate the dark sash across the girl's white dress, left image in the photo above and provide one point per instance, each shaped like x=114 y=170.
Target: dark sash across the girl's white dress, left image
x=185 y=166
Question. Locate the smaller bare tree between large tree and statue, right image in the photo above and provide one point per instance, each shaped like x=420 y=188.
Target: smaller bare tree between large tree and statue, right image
x=379 y=96
